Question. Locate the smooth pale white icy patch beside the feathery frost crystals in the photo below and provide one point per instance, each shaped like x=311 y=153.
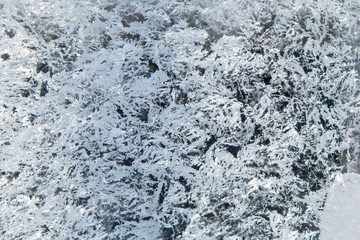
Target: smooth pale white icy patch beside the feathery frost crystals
x=340 y=219
